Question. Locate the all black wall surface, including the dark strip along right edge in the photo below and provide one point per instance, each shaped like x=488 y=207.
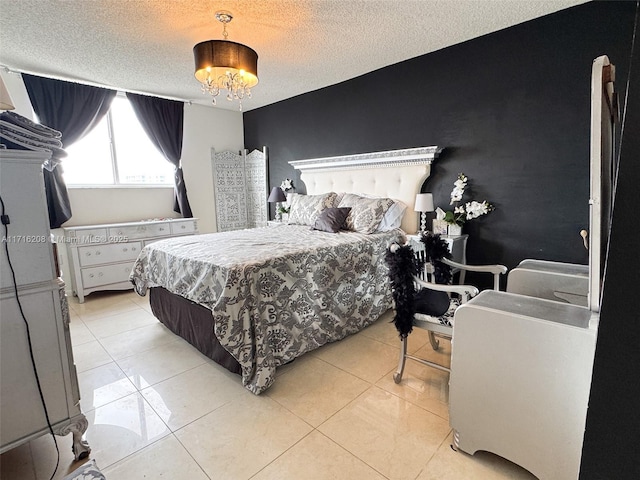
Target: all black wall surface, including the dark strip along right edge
x=512 y=110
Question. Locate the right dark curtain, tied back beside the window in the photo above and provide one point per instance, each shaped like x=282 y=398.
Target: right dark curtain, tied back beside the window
x=163 y=119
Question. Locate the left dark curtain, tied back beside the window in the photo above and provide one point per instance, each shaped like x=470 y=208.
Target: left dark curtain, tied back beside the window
x=74 y=110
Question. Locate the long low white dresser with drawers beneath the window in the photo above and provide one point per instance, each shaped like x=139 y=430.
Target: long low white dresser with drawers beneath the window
x=101 y=256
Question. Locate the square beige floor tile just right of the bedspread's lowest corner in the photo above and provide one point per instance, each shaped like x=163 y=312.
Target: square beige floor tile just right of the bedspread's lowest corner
x=314 y=390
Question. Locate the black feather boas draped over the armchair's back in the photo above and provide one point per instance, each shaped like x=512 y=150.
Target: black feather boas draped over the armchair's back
x=403 y=266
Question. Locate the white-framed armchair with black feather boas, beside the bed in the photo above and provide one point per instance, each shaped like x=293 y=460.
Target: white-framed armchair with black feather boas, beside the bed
x=423 y=295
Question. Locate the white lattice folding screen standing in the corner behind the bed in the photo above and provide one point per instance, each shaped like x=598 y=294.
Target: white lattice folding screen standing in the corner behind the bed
x=240 y=188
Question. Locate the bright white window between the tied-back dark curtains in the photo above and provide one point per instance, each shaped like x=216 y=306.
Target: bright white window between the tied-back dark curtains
x=117 y=152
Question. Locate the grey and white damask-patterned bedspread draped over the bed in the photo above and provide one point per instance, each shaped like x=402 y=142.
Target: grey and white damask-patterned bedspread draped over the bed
x=275 y=292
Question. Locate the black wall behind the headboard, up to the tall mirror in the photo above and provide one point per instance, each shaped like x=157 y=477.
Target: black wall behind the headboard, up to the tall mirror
x=511 y=108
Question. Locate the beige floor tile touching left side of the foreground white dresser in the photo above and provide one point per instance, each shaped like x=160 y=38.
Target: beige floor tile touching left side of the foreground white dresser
x=388 y=433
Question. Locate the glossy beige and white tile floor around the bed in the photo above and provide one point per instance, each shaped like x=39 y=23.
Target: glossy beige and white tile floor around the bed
x=157 y=408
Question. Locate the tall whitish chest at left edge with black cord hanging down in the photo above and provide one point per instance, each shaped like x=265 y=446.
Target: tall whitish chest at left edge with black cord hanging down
x=43 y=301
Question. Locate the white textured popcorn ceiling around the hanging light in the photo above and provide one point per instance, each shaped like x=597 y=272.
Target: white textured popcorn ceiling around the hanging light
x=146 y=46
